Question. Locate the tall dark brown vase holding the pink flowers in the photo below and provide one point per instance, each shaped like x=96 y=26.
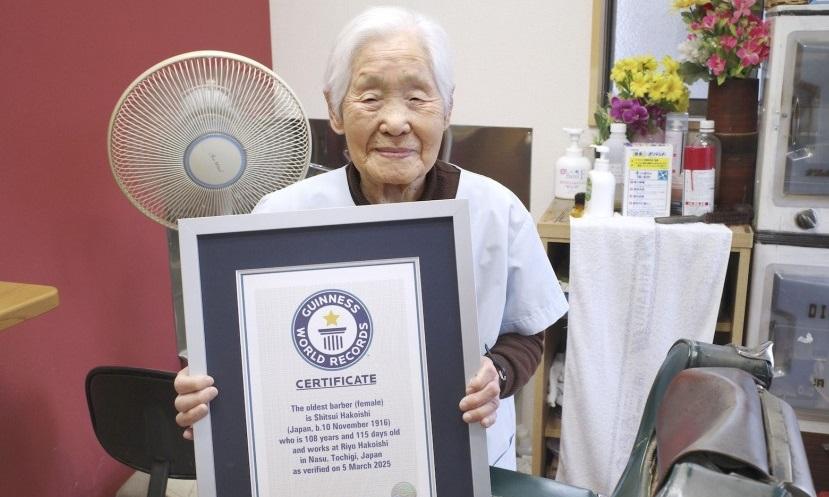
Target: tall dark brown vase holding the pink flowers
x=733 y=108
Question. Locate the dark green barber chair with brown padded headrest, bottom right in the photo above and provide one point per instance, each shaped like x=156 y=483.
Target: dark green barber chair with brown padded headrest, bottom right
x=709 y=427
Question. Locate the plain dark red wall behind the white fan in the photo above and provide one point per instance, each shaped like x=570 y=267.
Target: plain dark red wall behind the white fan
x=64 y=222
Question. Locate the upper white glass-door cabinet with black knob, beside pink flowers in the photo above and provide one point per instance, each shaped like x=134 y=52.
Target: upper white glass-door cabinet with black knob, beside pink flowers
x=792 y=193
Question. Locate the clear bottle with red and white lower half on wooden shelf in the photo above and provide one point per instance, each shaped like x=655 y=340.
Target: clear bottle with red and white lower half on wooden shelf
x=700 y=164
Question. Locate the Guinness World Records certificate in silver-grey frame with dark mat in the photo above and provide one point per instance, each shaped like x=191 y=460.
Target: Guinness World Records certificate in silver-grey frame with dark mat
x=341 y=341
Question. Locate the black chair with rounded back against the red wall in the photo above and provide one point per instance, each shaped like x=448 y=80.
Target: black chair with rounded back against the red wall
x=133 y=416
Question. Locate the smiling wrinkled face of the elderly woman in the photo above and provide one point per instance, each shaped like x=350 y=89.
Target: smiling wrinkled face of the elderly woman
x=393 y=116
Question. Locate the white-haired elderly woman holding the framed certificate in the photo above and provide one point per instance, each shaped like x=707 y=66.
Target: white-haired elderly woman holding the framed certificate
x=389 y=88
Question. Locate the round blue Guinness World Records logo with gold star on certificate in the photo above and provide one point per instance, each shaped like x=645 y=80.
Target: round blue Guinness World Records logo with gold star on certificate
x=332 y=329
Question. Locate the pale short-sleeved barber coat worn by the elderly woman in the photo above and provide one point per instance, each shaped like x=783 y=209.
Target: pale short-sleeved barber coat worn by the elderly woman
x=516 y=289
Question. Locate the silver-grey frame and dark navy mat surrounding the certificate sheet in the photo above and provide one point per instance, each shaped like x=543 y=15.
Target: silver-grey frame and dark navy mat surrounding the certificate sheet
x=436 y=233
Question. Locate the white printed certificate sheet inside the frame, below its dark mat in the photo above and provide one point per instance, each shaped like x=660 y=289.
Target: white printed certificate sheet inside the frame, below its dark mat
x=335 y=379
